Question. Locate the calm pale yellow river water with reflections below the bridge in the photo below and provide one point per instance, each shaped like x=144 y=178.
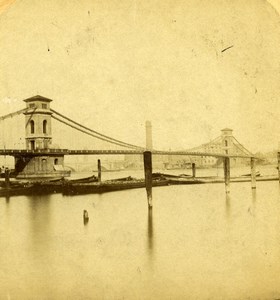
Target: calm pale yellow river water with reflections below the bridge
x=196 y=244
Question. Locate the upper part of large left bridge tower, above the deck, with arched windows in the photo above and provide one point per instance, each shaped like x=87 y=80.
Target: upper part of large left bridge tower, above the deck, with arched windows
x=38 y=123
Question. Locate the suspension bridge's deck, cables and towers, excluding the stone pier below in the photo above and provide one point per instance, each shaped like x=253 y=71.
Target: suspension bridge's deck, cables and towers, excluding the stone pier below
x=38 y=138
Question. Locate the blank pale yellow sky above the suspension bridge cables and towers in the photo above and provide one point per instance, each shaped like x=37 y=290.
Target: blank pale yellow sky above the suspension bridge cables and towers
x=112 y=65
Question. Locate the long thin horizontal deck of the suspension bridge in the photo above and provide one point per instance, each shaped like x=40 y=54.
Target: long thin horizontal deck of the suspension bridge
x=53 y=152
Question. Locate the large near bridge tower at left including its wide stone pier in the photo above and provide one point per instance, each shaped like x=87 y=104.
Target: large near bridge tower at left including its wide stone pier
x=41 y=161
